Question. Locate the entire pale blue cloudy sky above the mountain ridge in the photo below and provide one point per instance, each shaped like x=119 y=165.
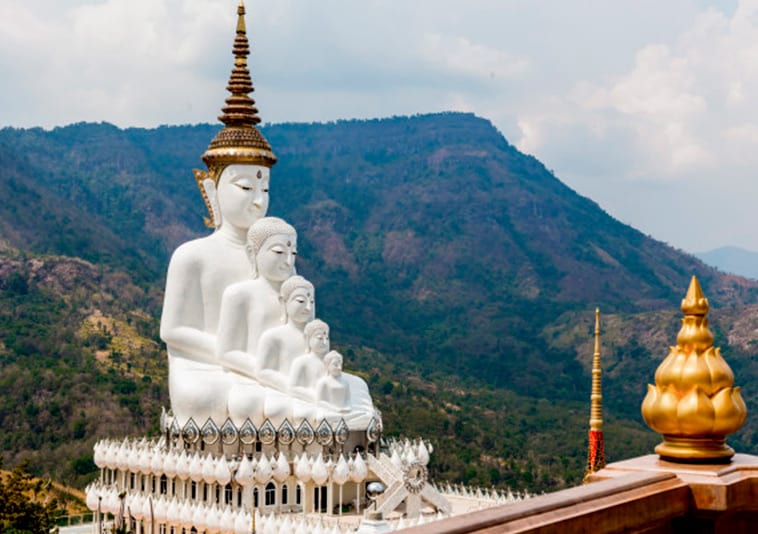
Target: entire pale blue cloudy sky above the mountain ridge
x=648 y=107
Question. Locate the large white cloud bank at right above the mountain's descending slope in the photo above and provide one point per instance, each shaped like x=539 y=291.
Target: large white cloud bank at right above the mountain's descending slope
x=675 y=133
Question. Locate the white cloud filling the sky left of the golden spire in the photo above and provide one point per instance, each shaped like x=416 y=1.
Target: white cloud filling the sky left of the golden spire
x=132 y=62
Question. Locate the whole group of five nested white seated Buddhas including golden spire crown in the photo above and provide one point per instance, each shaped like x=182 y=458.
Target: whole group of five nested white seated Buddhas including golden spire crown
x=235 y=314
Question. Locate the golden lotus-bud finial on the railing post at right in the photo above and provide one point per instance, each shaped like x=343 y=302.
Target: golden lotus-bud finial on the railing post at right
x=693 y=403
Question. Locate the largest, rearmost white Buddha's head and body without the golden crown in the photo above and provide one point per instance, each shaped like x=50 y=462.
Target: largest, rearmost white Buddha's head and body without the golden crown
x=198 y=273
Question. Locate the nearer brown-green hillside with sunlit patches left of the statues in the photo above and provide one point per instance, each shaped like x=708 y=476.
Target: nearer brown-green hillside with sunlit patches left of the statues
x=79 y=357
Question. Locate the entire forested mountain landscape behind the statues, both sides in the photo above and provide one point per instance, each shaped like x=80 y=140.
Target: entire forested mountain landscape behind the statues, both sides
x=458 y=275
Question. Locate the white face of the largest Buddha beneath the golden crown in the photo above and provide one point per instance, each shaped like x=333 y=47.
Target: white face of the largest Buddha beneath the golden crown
x=243 y=194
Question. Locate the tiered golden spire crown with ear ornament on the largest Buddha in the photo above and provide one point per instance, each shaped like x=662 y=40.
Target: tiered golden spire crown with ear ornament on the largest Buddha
x=239 y=141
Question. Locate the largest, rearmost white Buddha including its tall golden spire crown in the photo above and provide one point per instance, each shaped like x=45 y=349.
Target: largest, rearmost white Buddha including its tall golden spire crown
x=235 y=190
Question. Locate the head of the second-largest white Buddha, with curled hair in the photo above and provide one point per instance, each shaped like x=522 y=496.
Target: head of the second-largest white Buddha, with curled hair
x=272 y=249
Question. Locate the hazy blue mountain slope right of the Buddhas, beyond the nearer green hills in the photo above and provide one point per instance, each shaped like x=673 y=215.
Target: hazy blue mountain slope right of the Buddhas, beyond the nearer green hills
x=476 y=245
